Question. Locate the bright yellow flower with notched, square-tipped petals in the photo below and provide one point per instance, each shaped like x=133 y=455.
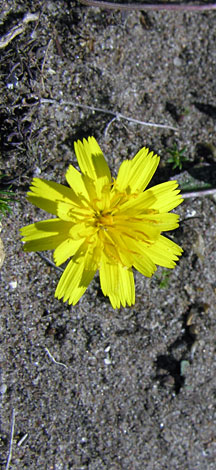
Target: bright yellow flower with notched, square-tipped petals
x=105 y=224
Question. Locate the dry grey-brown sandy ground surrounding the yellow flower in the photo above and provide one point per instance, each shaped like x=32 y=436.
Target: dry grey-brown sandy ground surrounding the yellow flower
x=134 y=388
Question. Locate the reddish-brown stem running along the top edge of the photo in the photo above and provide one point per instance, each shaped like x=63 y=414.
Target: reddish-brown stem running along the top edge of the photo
x=147 y=6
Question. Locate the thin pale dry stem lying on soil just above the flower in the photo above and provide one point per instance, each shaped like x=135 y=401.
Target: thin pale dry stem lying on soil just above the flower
x=106 y=111
